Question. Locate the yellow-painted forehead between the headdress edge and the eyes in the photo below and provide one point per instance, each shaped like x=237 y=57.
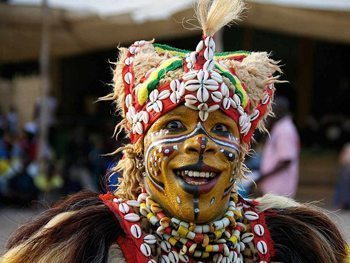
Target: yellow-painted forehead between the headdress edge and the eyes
x=189 y=116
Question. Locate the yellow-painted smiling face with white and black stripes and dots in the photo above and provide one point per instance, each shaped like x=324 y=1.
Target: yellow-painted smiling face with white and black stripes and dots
x=190 y=164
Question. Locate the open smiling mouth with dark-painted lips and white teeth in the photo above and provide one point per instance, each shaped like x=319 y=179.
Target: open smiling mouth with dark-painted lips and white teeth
x=202 y=176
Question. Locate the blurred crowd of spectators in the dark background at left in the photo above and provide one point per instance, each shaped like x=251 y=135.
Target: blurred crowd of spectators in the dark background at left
x=69 y=165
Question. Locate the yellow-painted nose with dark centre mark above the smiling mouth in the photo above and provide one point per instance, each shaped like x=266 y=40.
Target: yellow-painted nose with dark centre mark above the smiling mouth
x=200 y=144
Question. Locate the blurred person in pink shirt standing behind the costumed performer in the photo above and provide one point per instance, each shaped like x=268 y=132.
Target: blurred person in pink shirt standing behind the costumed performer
x=280 y=156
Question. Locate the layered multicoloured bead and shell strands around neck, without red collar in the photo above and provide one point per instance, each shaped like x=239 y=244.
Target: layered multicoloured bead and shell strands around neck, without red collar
x=223 y=240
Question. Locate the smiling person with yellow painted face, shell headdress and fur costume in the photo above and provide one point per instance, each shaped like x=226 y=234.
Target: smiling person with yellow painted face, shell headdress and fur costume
x=177 y=198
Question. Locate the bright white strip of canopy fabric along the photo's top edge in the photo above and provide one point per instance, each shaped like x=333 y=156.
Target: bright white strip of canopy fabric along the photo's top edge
x=154 y=10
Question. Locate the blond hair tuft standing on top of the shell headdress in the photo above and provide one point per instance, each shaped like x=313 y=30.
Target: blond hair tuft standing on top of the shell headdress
x=213 y=15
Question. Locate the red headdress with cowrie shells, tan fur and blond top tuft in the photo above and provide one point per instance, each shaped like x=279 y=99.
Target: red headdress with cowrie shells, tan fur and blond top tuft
x=152 y=79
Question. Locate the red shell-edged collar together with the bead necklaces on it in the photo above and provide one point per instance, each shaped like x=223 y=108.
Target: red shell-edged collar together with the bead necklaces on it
x=239 y=234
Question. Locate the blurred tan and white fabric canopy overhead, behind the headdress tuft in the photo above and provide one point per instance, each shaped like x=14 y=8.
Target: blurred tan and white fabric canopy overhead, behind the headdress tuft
x=86 y=25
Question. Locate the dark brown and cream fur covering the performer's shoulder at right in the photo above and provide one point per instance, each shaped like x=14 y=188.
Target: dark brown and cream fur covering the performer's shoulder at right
x=301 y=233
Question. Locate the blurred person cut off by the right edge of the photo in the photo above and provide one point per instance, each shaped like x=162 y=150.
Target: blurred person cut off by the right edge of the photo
x=342 y=190
